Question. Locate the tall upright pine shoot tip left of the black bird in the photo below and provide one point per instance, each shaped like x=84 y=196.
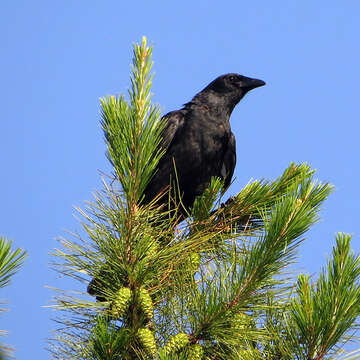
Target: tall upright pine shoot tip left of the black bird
x=132 y=131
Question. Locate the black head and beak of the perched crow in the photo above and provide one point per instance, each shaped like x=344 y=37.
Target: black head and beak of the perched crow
x=230 y=88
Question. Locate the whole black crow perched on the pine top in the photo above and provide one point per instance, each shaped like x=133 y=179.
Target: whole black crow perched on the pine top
x=198 y=139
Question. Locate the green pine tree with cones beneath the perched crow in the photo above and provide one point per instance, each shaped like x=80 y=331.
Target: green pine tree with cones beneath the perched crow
x=215 y=286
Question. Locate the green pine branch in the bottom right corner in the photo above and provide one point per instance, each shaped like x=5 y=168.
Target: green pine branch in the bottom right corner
x=324 y=314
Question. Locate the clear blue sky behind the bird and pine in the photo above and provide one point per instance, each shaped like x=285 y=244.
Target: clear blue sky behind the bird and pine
x=58 y=57
